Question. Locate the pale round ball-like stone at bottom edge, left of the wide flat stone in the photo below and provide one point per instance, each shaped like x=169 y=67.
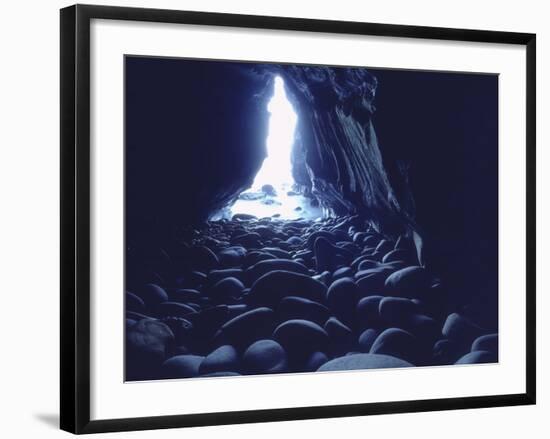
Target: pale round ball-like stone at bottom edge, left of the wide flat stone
x=265 y=356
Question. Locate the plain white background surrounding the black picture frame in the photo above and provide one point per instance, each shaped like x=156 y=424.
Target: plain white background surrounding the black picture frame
x=29 y=238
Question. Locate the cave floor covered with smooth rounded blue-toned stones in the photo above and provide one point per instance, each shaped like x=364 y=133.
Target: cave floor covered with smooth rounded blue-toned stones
x=259 y=296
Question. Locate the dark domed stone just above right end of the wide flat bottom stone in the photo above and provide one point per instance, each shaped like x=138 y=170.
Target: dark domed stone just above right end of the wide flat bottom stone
x=399 y=343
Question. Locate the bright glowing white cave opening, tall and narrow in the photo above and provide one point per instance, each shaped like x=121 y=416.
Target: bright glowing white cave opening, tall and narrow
x=274 y=193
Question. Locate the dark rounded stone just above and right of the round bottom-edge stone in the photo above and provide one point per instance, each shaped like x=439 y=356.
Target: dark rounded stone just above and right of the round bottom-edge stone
x=300 y=336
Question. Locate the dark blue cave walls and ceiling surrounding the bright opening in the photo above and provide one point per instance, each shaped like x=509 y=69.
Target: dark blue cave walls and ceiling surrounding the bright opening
x=408 y=156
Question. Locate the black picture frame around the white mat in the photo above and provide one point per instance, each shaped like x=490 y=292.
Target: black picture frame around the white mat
x=75 y=217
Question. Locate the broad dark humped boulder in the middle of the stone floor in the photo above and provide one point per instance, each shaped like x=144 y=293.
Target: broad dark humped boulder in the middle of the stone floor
x=272 y=287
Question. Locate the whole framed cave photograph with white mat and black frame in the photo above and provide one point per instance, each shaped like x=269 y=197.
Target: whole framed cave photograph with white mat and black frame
x=268 y=218
